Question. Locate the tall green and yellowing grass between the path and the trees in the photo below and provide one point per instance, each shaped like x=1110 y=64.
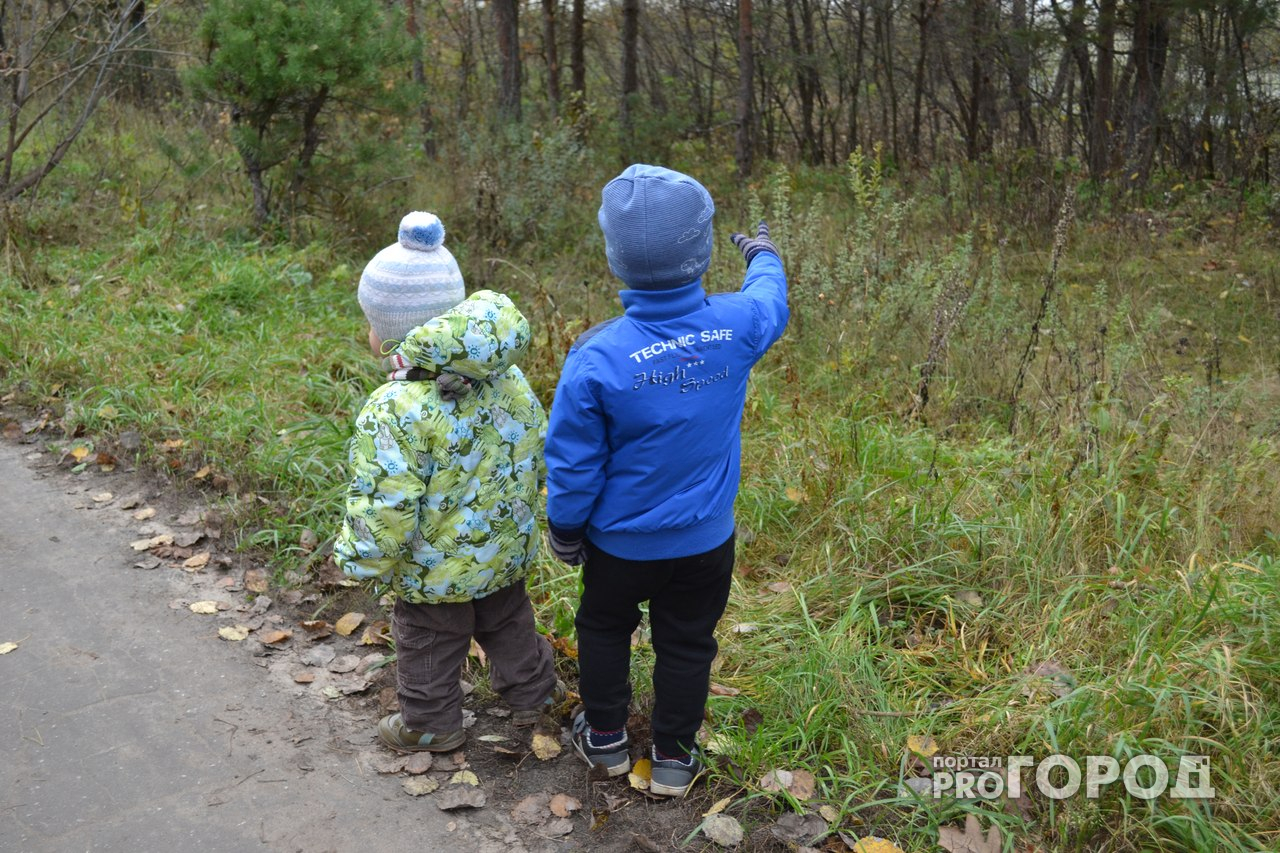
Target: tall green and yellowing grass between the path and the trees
x=1126 y=532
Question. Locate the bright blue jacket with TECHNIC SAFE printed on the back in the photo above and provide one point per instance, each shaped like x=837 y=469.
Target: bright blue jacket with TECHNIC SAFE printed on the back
x=644 y=443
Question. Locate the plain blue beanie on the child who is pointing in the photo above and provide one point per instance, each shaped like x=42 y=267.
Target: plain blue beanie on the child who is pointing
x=657 y=227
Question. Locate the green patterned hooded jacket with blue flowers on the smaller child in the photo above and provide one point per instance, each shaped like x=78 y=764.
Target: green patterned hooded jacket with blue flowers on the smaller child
x=444 y=494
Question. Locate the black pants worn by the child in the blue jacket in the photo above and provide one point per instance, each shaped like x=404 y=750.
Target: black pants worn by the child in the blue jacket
x=687 y=597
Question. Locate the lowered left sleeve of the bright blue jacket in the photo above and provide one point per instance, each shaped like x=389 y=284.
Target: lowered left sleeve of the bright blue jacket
x=577 y=451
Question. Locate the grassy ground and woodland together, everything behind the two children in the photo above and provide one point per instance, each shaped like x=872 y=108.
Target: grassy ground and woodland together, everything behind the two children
x=1011 y=481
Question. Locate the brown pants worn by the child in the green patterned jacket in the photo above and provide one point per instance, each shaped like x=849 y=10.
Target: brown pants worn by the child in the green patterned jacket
x=432 y=644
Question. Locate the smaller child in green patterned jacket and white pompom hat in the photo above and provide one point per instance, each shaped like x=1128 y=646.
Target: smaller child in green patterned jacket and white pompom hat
x=447 y=466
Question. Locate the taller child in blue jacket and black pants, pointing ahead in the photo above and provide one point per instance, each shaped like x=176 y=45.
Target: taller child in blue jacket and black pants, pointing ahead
x=643 y=457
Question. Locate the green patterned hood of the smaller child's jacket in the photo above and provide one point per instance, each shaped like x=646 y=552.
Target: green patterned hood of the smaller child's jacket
x=479 y=339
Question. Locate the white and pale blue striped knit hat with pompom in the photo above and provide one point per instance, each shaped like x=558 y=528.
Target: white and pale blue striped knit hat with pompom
x=412 y=281
